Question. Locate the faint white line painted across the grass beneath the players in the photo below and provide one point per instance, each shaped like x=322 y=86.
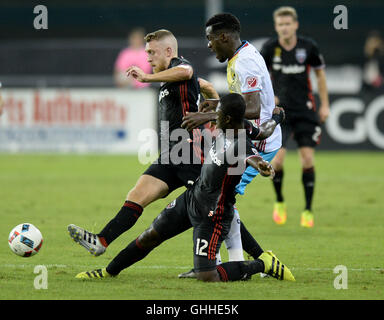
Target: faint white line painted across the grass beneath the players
x=86 y=267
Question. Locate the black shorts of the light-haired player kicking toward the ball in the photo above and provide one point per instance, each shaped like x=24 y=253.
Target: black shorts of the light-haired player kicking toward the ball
x=175 y=176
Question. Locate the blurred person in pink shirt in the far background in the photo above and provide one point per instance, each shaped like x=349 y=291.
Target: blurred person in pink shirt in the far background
x=133 y=55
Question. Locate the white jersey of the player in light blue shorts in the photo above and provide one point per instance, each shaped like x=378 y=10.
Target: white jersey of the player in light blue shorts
x=247 y=73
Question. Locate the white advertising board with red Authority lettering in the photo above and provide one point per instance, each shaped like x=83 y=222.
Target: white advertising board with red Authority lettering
x=78 y=120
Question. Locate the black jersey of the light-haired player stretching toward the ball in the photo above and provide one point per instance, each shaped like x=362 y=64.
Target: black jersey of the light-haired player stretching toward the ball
x=175 y=99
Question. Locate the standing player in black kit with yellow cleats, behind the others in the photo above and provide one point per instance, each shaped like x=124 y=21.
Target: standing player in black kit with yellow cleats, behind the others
x=289 y=58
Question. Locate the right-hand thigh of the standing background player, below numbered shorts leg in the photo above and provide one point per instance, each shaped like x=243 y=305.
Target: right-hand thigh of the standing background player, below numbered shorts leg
x=307 y=135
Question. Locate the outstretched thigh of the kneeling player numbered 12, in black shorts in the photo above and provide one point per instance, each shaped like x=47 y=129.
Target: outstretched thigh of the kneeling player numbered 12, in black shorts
x=174 y=219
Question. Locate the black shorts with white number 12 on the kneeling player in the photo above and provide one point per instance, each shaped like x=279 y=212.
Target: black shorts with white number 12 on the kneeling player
x=208 y=232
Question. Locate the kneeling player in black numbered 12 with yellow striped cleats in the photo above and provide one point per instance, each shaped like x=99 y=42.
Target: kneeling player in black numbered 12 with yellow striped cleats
x=208 y=206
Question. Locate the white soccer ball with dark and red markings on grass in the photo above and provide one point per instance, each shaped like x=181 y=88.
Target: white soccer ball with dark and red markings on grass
x=25 y=240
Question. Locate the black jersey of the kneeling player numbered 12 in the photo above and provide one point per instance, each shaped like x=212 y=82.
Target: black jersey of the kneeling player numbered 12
x=221 y=172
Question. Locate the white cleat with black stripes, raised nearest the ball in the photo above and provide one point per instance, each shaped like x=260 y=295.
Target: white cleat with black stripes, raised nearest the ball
x=88 y=240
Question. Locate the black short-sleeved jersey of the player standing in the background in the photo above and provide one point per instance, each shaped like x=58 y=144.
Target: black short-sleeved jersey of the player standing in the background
x=290 y=72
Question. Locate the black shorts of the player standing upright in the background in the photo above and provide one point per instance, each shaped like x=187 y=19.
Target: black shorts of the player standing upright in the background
x=303 y=127
